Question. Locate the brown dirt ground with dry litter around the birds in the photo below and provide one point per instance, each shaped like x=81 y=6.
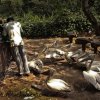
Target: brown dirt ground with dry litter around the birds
x=11 y=85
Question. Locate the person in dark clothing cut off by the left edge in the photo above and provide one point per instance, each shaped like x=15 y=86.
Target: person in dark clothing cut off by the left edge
x=4 y=46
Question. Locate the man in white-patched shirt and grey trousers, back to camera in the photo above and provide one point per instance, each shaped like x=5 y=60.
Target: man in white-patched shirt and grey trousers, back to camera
x=14 y=29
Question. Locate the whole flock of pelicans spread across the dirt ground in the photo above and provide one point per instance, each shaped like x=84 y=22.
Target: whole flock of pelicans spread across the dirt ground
x=92 y=74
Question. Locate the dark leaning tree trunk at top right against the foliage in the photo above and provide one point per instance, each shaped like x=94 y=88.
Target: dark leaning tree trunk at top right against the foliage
x=87 y=11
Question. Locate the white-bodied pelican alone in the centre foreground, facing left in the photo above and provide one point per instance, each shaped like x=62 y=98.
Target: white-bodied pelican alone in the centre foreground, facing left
x=54 y=84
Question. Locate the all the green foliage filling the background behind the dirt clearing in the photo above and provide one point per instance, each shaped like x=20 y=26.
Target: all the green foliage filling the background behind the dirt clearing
x=45 y=18
